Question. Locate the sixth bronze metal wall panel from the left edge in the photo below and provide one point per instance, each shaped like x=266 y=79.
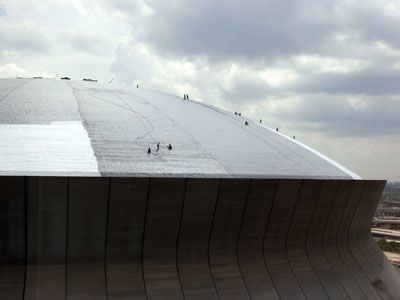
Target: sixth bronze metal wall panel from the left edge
x=194 y=236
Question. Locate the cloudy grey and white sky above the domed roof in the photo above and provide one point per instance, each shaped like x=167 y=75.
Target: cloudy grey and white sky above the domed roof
x=325 y=71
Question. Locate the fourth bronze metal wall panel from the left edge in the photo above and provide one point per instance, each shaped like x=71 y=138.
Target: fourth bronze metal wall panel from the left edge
x=127 y=210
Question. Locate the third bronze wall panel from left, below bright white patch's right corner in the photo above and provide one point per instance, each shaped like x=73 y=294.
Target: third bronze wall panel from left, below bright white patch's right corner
x=86 y=244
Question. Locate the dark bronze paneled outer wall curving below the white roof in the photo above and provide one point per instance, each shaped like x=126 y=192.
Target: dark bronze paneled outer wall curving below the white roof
x=159 y=238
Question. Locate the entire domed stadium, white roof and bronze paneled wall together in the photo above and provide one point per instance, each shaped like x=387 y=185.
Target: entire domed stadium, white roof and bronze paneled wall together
x=112 y=193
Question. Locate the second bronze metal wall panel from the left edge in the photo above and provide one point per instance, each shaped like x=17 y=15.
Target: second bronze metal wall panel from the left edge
x=47 y=238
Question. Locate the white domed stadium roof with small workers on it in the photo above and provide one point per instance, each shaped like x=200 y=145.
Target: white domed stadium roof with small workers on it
x=59 y=127
